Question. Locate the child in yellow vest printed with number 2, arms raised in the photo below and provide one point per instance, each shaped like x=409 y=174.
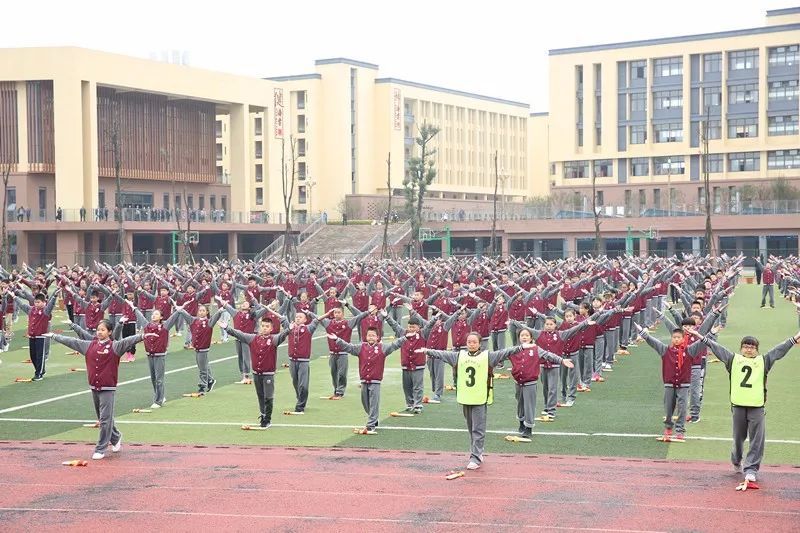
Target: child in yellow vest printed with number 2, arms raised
x=748 y=393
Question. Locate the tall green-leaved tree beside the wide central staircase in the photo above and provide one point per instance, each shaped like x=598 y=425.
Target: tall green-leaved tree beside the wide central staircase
x=420 y=174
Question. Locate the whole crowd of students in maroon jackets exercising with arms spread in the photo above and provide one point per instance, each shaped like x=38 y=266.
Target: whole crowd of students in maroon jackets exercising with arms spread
x=567 y=322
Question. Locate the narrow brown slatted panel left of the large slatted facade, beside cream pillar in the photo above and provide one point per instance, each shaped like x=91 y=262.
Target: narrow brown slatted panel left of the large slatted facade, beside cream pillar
x=41 y=132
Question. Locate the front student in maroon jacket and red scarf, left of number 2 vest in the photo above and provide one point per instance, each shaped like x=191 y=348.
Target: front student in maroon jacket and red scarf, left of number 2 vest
x=676 y=372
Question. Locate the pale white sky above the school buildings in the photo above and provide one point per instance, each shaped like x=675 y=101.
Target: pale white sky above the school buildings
x=497 y=48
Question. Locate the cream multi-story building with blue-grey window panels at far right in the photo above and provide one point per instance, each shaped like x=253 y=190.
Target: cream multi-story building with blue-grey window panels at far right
x=647 y=119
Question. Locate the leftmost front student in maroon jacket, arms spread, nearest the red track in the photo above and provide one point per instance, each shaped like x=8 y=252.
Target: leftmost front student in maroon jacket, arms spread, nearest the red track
x=102 y=367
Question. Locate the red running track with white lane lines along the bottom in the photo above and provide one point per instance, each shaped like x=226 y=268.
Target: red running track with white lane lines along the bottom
x=194 y=488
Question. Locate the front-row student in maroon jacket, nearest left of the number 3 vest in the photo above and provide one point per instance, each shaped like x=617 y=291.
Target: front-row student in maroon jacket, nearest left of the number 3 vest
x=371 y=358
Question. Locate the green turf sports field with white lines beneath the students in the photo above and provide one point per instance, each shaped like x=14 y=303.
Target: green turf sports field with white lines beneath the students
x=618 y=418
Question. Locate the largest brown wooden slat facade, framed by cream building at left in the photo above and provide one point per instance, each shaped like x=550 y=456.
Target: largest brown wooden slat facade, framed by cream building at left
x=150 y=123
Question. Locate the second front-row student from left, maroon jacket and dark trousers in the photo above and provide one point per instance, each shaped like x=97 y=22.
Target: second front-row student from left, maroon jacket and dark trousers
x=263 y=351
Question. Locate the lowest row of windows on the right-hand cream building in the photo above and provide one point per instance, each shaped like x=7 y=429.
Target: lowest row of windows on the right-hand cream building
x=664 y=166
